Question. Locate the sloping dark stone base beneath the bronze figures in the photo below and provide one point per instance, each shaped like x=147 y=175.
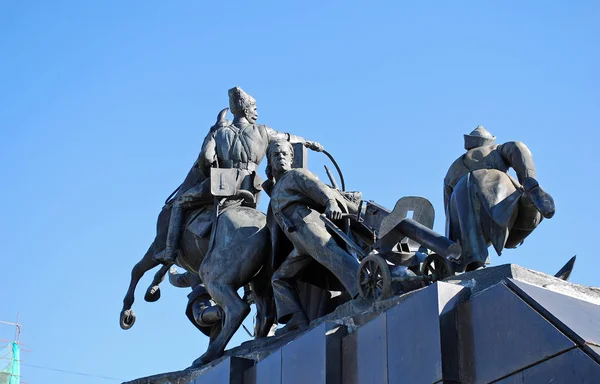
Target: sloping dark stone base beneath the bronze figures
x=505 y=324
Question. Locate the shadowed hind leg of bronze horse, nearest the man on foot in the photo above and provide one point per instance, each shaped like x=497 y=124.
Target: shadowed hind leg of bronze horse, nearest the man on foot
x=263 y=297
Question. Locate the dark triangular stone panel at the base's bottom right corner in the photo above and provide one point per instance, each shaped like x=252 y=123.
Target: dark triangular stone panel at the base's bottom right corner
x=572 y=367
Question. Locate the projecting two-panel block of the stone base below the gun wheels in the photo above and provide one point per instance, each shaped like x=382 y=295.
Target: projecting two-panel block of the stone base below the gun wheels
x=416 y=339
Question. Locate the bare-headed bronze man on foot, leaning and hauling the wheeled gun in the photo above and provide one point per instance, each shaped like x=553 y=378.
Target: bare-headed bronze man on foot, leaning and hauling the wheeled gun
x=297 y=200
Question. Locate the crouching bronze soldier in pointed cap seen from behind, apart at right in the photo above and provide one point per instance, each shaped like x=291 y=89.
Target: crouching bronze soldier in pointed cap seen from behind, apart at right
x=484 y=205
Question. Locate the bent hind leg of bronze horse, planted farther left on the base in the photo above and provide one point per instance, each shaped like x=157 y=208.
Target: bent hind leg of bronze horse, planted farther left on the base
x=235 y=310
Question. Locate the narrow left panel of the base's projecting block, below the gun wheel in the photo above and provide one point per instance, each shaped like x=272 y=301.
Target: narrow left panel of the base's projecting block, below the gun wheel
x=365 y=354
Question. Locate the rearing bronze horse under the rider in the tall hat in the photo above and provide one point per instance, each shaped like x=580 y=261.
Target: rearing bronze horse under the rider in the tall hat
x=227 y=252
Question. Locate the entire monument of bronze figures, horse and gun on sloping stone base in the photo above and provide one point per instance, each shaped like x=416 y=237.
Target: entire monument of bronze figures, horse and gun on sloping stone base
x=410 y=305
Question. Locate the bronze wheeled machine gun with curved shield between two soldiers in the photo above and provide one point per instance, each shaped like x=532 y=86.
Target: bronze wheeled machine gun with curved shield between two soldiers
x=398 y=250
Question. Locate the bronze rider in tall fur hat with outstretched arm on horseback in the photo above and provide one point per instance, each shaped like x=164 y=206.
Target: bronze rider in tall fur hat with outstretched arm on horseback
x=240 y=145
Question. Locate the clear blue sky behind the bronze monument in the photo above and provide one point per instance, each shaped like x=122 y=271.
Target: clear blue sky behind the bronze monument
x=104 y=105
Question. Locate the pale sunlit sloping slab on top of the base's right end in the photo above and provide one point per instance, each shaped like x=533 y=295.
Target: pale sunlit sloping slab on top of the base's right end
x=579 y=319
